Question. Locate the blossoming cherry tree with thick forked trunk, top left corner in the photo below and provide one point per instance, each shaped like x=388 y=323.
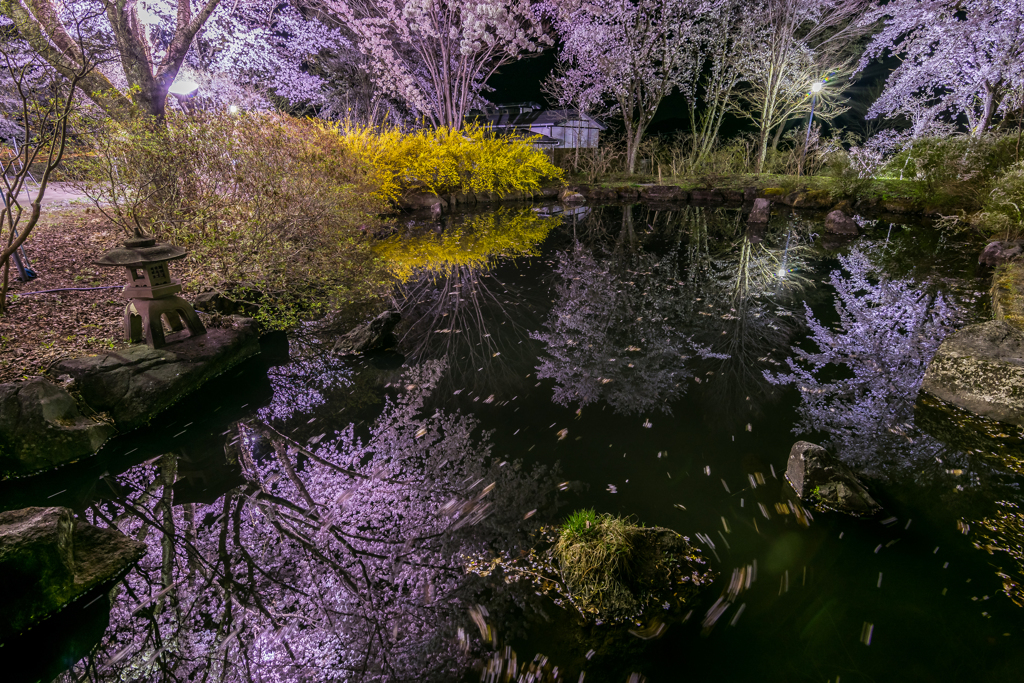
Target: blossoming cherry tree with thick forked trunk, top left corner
x=260 y=45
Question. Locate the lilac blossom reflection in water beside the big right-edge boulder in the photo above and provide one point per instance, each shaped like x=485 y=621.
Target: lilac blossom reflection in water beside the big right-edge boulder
x=861 y=386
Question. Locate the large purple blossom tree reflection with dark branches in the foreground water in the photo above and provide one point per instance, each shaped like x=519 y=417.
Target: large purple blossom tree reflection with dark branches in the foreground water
x=337 y=563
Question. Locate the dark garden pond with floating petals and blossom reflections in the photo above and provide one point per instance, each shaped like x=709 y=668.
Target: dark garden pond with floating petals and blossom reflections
x=313 y=520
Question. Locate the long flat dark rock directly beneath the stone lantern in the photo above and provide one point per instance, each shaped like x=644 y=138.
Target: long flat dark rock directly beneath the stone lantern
x=133 y=386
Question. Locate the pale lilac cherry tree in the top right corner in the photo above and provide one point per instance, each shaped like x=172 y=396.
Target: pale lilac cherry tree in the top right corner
x=957 y=59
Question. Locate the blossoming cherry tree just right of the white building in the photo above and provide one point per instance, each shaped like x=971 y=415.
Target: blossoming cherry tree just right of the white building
x=632 y=54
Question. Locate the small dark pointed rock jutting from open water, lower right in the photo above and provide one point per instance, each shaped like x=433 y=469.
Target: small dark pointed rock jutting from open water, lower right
x=823 y=480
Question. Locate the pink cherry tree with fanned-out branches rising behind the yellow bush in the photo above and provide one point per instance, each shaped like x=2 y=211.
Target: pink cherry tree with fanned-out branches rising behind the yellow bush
x=438 y=56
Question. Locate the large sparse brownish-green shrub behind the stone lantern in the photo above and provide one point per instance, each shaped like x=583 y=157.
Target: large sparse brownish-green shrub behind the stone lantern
x=263 y=202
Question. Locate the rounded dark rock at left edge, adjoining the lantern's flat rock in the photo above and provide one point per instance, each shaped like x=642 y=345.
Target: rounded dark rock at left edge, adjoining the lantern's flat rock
x=41 y=428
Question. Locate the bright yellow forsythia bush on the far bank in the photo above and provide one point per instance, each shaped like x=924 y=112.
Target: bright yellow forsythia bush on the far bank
x=446 y=160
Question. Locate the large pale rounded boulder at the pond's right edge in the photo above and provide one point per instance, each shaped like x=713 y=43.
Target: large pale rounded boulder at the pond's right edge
x=980 y=368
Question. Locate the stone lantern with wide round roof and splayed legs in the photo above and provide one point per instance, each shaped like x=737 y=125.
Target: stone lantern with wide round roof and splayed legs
x=151 y=292
